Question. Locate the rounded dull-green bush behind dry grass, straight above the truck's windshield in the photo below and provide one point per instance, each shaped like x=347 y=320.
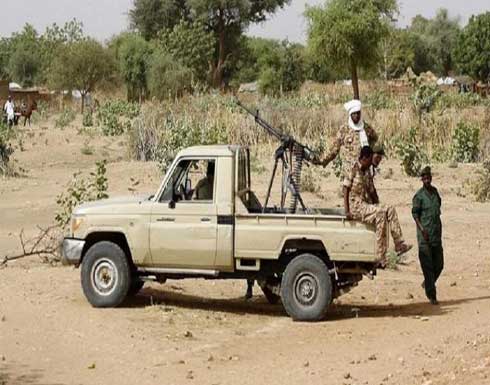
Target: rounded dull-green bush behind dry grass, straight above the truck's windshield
x=167 y=78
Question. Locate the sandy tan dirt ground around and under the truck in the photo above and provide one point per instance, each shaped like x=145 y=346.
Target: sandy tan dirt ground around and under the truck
x=204 y=332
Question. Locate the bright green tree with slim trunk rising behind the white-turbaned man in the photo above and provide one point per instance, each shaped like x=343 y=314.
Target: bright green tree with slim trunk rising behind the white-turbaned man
x=350 y=32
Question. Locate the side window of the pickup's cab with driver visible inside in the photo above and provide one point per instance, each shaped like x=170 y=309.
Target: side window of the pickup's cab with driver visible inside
x=191 y=180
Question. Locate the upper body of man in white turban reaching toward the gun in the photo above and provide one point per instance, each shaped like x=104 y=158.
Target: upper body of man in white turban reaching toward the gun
x=350 y=139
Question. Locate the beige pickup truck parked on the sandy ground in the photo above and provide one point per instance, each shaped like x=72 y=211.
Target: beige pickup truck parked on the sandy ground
x=205 y=221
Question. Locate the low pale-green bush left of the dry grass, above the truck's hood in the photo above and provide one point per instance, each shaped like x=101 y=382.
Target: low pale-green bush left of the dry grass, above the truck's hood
x=115 y=116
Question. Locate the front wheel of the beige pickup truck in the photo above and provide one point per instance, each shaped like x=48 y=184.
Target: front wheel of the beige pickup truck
x=105 y=275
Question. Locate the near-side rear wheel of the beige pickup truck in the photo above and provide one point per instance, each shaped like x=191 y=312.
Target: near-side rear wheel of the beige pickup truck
x=306 y=288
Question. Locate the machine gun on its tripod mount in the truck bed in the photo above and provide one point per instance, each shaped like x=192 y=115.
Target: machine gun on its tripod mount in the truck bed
x=290 y=154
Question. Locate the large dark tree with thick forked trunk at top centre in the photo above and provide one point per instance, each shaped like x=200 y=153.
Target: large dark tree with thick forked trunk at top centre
x=226 y=19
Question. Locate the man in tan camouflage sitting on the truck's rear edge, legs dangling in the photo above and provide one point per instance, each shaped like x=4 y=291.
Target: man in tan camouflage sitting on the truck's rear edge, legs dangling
x=357 y=206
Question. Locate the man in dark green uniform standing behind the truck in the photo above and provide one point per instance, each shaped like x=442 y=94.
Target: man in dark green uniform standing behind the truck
x=426 y=211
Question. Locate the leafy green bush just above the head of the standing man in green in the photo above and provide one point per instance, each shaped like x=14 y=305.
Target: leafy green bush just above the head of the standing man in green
x=413 y=157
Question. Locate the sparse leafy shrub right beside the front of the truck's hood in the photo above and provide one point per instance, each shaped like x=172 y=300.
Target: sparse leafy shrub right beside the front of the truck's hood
x=81 y=190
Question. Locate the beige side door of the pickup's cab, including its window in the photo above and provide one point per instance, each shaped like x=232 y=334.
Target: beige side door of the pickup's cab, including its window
x=184 y=222
